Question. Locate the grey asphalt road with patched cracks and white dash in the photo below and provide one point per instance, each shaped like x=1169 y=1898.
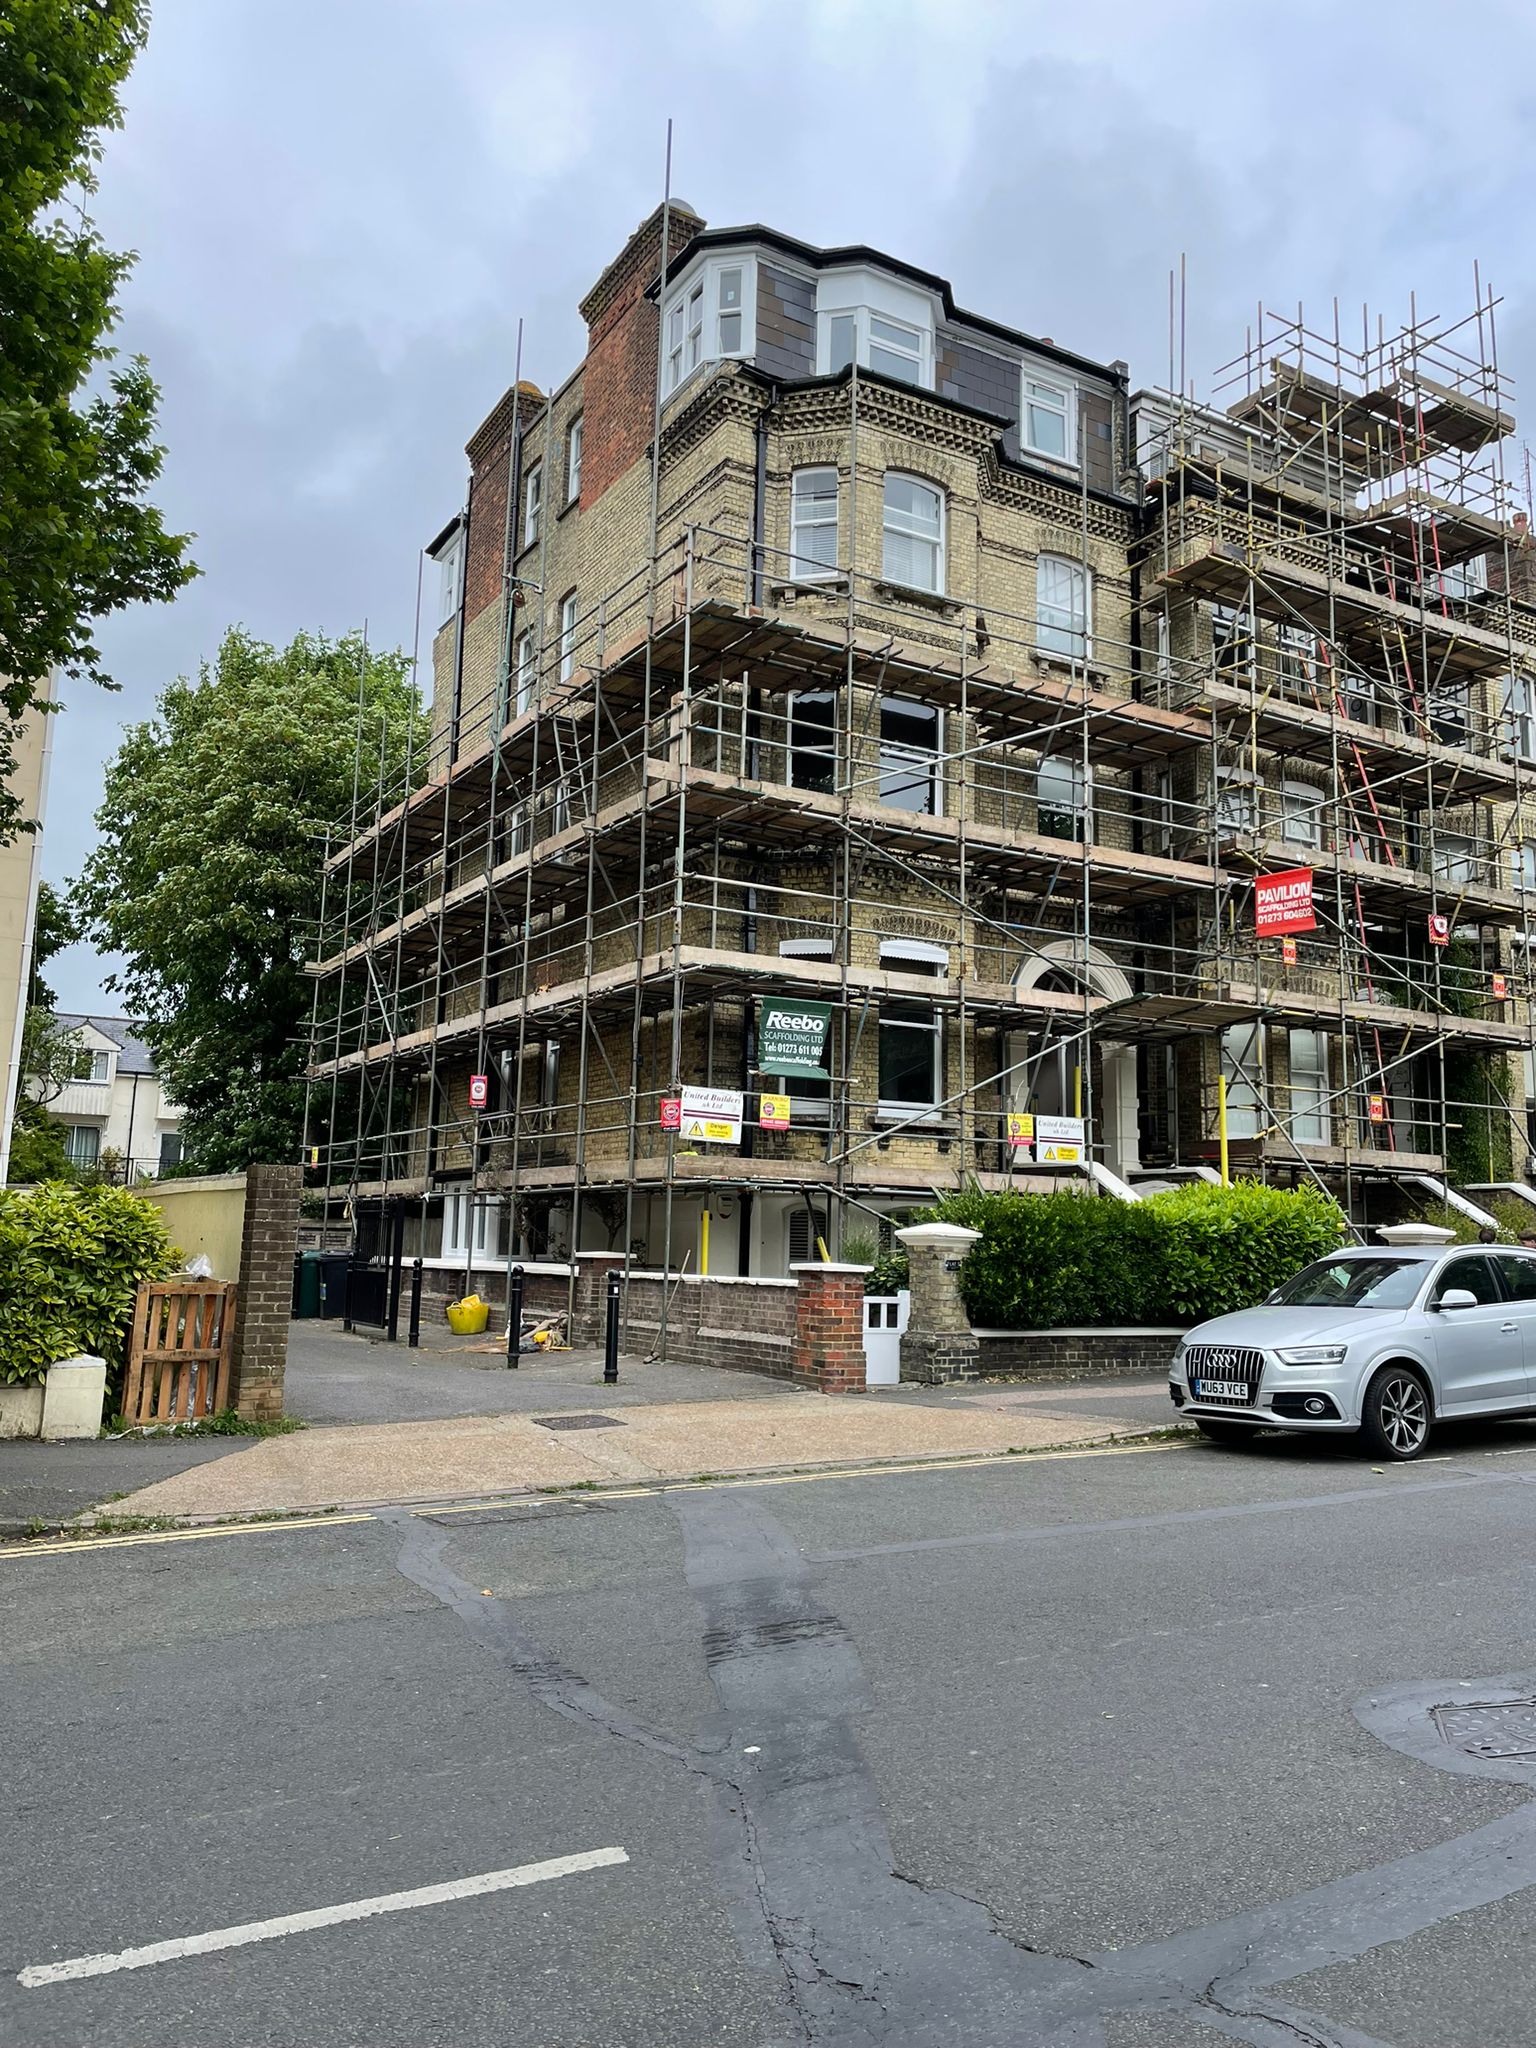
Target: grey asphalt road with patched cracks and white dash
x=1134 y=1750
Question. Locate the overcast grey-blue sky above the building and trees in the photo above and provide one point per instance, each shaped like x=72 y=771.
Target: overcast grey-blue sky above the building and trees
x=343 y=208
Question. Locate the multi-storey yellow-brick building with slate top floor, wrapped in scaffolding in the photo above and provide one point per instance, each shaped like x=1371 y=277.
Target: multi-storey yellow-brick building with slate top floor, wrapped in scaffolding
x=933 y=683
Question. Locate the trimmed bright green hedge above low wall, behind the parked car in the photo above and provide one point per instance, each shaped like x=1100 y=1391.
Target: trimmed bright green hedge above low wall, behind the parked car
x=1052 y=1261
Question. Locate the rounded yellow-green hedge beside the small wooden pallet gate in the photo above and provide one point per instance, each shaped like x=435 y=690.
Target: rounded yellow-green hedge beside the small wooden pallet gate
x=71 y=1263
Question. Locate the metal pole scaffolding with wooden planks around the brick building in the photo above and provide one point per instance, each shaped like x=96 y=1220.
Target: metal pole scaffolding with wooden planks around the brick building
x=1011 y=845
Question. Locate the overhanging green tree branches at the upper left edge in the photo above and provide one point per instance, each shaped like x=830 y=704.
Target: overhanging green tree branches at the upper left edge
x=79 y=538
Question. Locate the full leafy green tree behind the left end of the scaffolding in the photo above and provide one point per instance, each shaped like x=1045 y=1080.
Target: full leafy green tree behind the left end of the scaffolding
x=208 y=869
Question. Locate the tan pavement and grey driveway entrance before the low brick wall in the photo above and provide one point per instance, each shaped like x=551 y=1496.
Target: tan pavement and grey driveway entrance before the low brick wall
x=439 y=1424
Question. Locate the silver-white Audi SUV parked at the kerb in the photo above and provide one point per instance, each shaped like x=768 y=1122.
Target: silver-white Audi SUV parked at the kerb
x=1383 y=1340
